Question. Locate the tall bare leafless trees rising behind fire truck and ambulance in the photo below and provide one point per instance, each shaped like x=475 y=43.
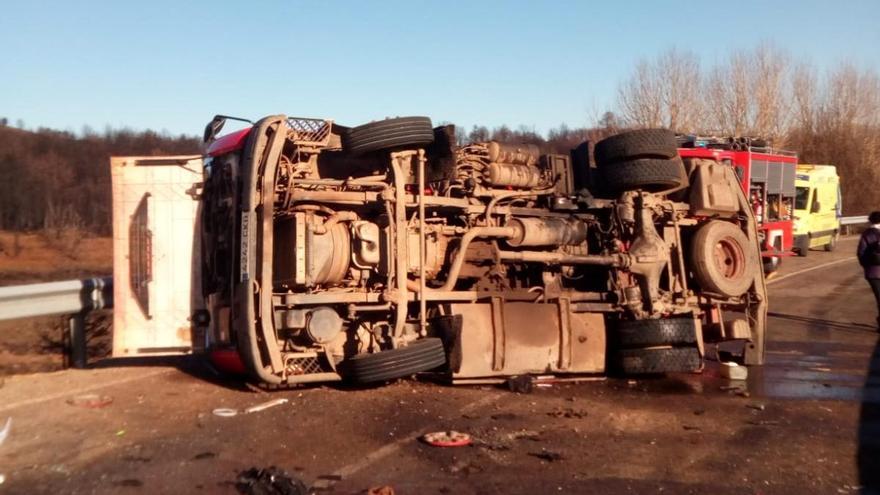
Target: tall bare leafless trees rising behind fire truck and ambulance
x=828 y=117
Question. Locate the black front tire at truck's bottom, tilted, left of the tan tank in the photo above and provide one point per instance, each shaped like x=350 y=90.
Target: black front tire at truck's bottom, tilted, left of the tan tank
x=421 y=355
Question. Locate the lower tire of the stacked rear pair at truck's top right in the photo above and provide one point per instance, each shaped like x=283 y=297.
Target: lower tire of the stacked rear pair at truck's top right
x=650 y=174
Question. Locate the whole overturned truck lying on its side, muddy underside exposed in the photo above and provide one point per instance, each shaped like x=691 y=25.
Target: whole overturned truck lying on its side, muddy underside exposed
x=299 y=250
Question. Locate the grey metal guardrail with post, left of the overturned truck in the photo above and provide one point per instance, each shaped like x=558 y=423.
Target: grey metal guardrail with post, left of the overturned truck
x=72 y=297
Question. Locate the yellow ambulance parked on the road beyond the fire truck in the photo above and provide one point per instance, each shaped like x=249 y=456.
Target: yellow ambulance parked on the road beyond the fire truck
x=817 y=208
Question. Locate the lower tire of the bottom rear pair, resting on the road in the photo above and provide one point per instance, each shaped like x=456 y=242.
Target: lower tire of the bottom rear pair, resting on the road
x=656 y=360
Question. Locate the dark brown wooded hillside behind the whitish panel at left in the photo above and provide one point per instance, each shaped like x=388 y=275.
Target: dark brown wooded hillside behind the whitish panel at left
x=51 y=179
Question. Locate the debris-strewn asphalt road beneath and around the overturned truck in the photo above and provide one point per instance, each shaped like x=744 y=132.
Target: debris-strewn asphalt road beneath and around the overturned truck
x=804 y=423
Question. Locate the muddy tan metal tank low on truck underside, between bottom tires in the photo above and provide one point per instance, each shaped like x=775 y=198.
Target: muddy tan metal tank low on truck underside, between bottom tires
x=527 y=338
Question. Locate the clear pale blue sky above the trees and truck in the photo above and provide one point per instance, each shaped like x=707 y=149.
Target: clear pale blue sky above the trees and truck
x=171 y=65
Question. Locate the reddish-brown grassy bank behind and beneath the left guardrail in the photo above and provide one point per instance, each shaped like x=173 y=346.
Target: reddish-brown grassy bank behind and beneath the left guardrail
x=37 y=344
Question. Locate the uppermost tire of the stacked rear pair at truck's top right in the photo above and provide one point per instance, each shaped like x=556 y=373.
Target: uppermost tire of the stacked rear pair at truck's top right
x=632 y=145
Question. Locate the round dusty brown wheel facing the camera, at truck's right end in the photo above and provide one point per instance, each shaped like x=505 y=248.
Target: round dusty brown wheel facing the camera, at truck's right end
x=724 y=261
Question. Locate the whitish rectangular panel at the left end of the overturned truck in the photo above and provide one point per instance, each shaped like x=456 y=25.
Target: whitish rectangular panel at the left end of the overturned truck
x=156 y=269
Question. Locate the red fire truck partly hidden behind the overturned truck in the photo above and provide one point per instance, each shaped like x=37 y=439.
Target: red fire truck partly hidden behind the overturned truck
x=767 y=176
